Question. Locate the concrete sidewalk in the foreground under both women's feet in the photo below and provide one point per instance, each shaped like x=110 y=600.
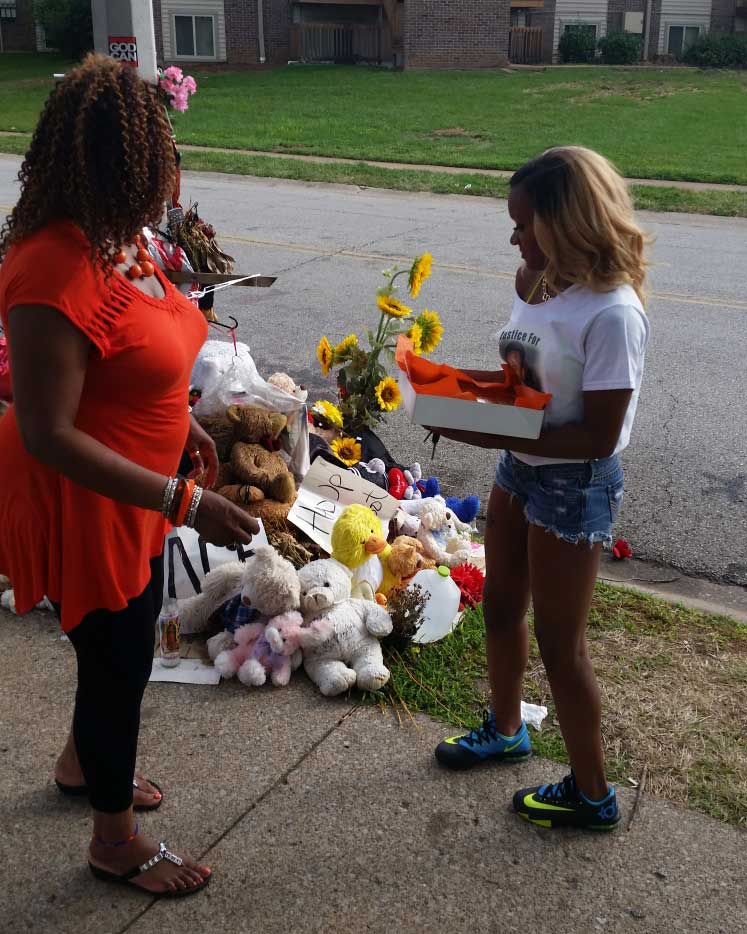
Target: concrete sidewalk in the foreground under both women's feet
x=326 y=816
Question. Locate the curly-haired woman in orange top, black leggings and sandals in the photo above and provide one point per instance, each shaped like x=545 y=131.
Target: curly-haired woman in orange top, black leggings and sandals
x=101 y=349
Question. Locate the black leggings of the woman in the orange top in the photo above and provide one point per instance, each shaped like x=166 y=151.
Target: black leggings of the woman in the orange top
x=115 y=657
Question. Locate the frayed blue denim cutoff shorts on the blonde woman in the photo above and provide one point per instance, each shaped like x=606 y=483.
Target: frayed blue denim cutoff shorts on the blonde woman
x=576 y=502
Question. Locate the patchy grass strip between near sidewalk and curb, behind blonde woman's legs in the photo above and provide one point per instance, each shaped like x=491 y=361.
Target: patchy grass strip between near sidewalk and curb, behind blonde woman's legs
x=673 y=685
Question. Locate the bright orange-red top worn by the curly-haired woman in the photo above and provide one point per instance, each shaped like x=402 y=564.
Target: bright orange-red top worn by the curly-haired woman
x=58 y=539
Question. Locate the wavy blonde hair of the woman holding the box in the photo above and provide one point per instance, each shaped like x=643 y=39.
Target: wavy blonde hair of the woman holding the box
x=584 y=221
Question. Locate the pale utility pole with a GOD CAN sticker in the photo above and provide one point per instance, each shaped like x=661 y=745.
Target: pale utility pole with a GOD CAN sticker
x=124 y=29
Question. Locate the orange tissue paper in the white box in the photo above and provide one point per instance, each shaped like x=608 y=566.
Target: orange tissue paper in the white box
x=440 y=379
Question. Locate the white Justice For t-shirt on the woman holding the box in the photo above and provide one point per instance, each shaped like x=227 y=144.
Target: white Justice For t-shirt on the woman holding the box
x=578 y=341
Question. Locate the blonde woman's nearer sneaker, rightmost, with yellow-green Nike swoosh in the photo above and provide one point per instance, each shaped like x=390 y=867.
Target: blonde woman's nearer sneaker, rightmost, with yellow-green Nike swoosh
x=563 y=804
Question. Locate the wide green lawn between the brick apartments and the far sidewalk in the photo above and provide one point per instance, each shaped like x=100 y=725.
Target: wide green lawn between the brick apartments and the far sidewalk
x=654 y=123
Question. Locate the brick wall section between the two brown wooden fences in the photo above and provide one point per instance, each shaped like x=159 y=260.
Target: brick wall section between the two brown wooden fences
x=456 y=33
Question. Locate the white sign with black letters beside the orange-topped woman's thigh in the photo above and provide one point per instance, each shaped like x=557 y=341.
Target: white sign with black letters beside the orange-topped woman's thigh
x=187 y=558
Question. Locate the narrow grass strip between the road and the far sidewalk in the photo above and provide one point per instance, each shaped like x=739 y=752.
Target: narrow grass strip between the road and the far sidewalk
x=677 y=200
